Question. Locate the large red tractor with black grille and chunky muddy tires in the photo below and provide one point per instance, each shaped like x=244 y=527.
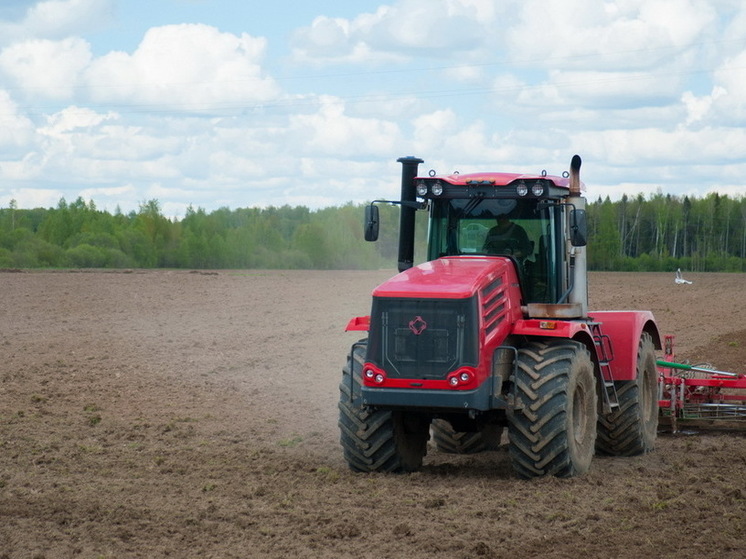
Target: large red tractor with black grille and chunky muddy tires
x=493 y=332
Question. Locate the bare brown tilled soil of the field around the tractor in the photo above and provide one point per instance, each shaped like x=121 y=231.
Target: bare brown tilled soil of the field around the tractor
x=177 y=414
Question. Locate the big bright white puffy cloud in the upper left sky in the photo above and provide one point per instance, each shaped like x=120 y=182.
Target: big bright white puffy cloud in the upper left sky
x=183 y=68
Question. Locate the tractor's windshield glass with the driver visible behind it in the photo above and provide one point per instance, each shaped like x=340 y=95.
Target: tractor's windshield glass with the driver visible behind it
x=520 y=229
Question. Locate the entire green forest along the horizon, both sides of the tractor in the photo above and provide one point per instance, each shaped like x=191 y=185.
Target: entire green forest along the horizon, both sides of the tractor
x=655 y=233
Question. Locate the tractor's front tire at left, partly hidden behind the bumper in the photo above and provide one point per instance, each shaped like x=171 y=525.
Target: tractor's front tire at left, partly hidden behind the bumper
x=377 y=440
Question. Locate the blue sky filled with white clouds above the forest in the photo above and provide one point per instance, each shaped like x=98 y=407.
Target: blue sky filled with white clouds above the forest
x=234 y=103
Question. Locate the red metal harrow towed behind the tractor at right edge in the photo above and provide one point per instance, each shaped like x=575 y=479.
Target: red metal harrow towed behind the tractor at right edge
x=699 y=396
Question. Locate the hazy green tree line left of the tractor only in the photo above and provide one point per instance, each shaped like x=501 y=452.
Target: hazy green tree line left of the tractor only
x=79 y=235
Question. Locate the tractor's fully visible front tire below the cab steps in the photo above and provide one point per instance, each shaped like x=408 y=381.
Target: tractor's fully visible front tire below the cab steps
x=552 y=431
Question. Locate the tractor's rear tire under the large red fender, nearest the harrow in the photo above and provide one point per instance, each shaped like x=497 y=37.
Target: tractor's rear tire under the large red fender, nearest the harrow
x=633 y=427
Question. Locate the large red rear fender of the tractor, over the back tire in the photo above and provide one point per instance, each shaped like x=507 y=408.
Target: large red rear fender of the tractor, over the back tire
x=624 y=329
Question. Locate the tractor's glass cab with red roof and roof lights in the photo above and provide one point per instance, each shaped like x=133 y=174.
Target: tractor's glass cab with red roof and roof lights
x=526 y=218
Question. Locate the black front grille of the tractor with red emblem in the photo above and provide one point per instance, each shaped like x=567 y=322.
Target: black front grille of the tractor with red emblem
x=422 y=338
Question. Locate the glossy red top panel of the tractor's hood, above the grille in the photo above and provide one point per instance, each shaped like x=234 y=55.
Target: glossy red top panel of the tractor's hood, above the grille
x=452 y=277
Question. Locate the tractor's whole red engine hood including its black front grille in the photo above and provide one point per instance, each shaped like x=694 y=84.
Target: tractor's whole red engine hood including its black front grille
x=432 y=320
